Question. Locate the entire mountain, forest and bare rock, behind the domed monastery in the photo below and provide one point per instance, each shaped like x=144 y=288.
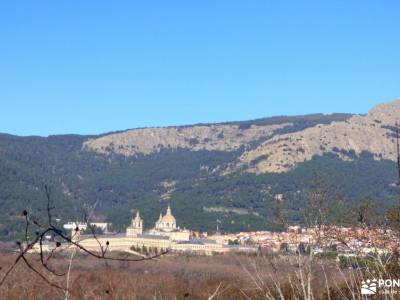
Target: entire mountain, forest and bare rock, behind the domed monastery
x=228 y=171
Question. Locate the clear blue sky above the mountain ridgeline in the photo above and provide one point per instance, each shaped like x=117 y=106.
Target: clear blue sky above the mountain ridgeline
x=98 y=66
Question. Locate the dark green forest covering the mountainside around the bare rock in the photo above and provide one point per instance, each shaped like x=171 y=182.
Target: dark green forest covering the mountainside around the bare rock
x=195 y=182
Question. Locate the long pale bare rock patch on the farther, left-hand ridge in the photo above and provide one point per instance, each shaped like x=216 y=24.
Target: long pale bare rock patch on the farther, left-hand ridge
x=195 y=138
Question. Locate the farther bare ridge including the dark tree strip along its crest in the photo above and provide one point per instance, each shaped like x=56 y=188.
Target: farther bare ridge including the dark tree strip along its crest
x=202 y=136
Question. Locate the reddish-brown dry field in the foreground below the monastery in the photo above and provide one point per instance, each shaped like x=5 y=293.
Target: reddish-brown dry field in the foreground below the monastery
x=183 y=277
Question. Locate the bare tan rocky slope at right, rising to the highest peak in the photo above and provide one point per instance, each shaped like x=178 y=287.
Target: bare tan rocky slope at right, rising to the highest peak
x=372 y=133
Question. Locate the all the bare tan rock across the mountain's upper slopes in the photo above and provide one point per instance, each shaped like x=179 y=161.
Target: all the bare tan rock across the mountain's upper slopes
x=266 y=147
